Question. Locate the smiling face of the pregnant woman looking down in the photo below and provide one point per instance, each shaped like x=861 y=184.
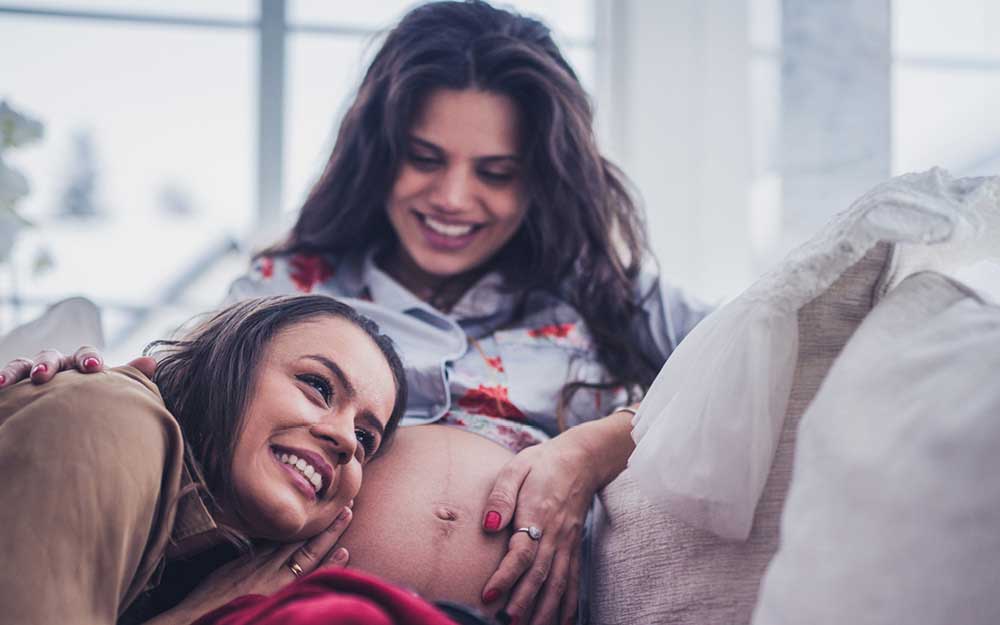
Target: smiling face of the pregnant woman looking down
x=458 y=196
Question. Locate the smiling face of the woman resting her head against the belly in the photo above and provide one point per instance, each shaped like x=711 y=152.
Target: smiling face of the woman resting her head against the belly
x=322 y=397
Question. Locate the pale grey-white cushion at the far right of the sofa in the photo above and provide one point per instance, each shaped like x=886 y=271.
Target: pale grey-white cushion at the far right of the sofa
x=894 y=513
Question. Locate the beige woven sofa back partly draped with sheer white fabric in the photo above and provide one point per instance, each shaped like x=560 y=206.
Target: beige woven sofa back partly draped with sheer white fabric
x=652 y=568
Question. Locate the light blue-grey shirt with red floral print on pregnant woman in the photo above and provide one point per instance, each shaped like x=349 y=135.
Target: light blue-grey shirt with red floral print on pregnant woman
x=475 y=367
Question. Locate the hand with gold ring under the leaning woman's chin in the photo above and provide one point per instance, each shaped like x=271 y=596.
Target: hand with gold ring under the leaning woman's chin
x=263 y=572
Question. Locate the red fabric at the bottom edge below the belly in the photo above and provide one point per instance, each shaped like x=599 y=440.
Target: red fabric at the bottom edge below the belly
x=330 y=597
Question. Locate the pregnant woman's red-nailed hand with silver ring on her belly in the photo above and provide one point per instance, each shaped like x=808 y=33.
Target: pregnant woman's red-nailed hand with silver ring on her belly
x=550 y=486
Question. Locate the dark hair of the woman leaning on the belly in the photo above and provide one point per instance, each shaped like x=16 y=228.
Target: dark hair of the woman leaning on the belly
x=207 y=376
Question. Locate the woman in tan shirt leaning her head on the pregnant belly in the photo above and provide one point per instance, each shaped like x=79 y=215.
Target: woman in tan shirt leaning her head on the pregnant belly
x=253 y=432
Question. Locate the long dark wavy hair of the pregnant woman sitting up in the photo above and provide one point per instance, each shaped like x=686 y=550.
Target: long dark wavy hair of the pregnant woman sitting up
x=582 y=238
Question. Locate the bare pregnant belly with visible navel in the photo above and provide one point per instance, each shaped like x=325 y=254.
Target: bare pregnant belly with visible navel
x=418 y=518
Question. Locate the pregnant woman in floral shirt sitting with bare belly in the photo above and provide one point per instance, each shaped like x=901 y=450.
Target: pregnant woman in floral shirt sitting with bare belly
x=467 y=209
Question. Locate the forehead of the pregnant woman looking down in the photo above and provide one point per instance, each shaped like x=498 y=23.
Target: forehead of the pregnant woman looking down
x=469 y=121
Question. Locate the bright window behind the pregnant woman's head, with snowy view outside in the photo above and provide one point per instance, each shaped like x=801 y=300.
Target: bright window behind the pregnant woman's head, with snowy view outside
x=146 y=189
